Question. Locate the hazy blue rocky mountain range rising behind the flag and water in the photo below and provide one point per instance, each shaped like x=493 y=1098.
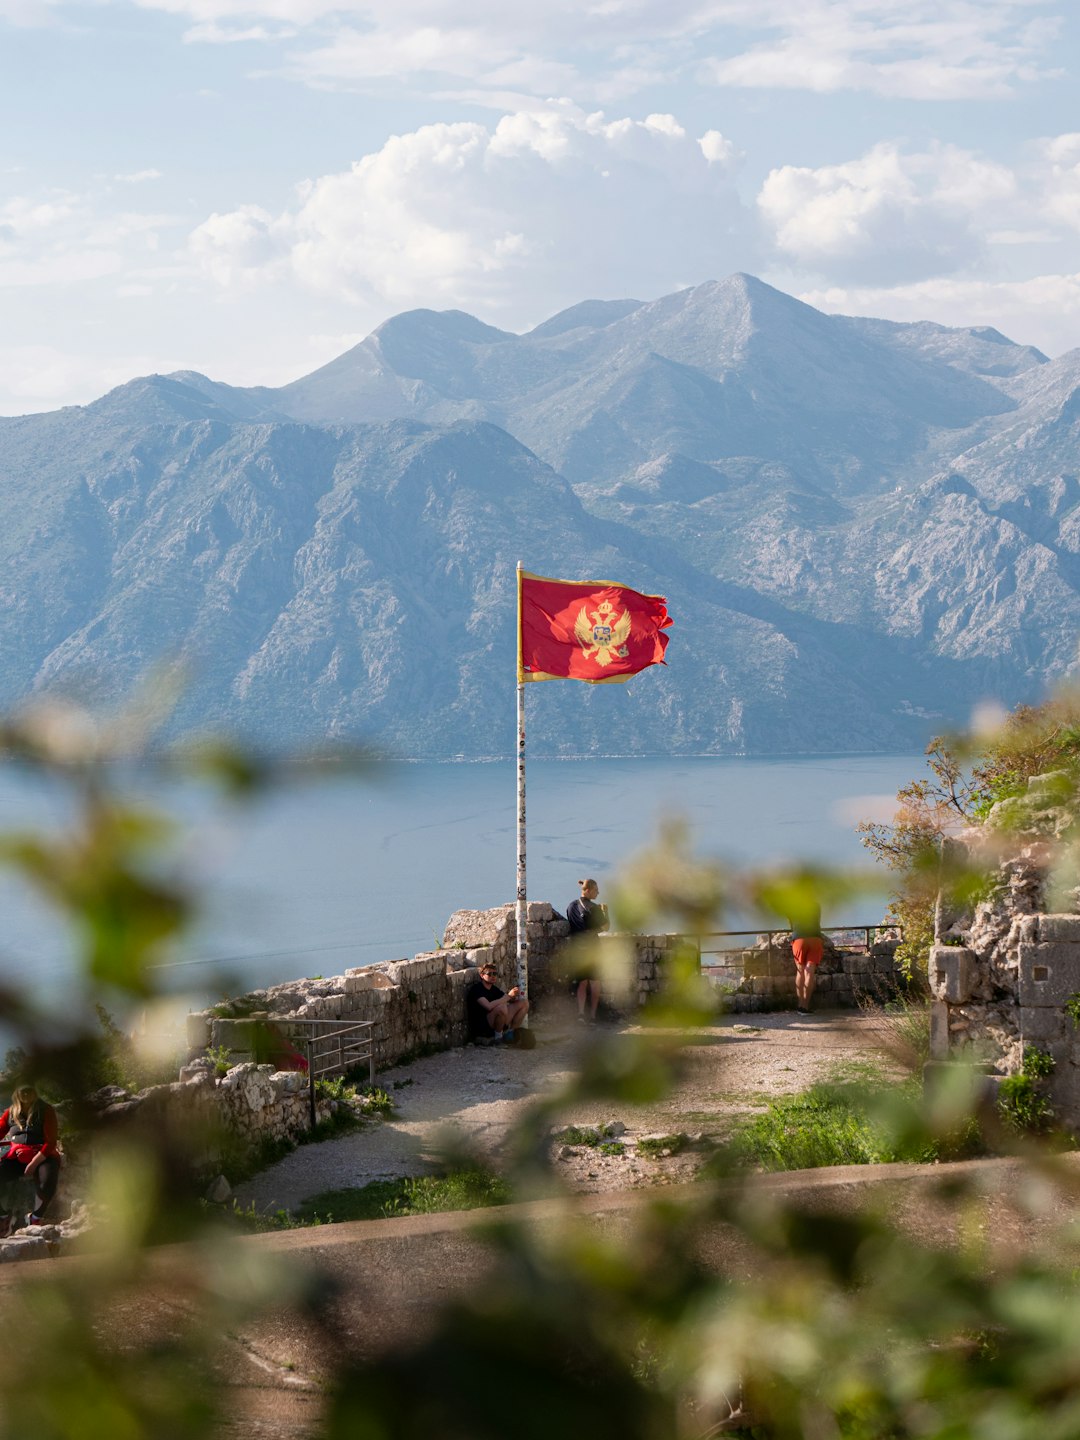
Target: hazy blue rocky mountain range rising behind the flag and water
x=863 y=529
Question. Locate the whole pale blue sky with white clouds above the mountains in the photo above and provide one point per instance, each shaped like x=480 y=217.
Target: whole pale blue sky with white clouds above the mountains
x=247 y=188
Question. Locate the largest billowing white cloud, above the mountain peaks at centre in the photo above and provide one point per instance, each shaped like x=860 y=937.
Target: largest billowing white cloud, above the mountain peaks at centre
x=546 y=205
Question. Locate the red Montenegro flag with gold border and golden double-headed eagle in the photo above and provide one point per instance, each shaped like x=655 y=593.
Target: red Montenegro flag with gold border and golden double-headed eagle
x=587 y=630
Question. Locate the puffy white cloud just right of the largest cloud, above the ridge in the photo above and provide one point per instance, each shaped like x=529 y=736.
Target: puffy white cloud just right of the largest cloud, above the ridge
x=888 y=215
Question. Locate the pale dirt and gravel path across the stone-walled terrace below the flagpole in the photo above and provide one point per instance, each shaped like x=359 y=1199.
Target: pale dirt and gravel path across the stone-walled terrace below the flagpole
x=474 y=1097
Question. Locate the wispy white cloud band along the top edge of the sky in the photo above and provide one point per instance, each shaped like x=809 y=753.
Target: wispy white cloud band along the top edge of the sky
x=925 y=50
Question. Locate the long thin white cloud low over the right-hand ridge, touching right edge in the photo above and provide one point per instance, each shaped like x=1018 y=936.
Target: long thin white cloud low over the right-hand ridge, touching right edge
x=1043 y=310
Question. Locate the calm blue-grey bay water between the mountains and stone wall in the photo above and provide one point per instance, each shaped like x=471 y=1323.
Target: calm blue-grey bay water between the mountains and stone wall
x=348 y=872
